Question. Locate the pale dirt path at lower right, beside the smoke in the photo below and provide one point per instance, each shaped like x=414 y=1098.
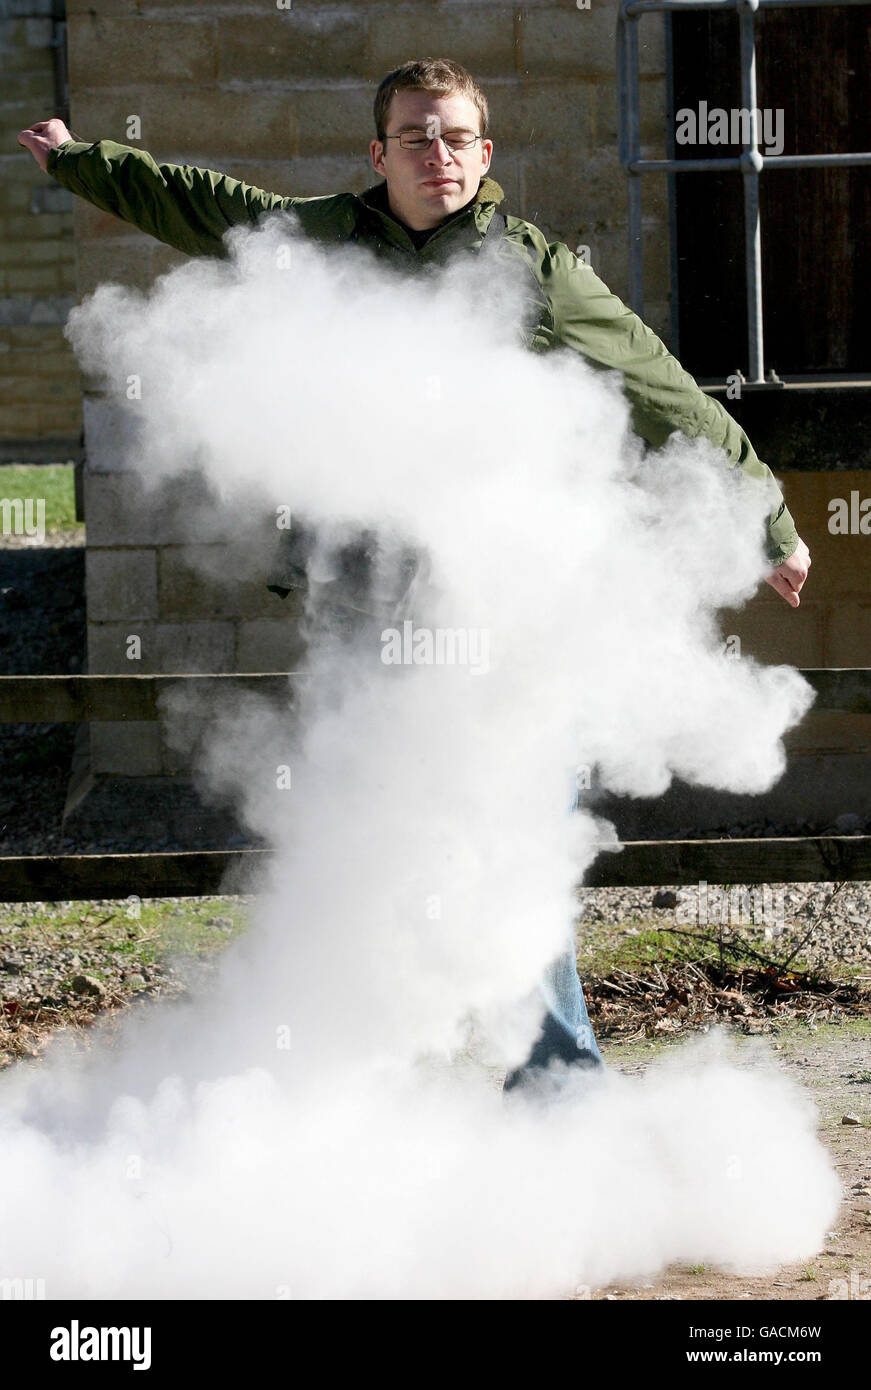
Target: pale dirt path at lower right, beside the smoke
x=834 y=1063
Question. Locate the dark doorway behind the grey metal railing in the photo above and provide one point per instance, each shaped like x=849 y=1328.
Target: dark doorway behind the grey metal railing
x=815 y=66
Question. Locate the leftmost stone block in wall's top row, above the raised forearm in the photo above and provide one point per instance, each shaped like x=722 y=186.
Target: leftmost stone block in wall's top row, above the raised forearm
x=109 y=51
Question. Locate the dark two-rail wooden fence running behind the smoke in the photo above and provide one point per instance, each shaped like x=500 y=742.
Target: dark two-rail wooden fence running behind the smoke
x=31 y=700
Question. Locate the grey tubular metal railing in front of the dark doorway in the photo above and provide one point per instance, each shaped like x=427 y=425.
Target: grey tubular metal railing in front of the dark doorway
x=751 y=163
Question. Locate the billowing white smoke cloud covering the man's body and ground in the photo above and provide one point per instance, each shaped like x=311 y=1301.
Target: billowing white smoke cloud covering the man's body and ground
x=316 y=1125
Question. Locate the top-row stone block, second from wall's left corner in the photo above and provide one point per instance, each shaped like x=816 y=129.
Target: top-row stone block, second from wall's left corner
x=291 y=44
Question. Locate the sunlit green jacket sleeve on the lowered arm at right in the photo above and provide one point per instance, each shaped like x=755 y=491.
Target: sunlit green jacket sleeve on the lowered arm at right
x=594 y=322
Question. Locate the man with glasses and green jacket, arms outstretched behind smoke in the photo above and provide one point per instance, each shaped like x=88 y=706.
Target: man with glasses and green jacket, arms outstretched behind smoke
x=434 y=155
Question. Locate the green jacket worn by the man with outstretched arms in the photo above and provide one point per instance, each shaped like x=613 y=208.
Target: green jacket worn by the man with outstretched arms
x=191 y=209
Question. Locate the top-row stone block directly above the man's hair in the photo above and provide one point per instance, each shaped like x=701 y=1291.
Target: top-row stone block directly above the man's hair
x=483 y=35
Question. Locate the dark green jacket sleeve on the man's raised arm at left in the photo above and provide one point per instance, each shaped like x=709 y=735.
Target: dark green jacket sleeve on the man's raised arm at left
x=181 y=205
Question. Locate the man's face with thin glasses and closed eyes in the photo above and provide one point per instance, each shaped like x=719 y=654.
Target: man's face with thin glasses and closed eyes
x=427 y=186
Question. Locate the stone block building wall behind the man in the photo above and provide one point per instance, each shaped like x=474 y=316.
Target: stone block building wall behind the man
x=280 y=95
